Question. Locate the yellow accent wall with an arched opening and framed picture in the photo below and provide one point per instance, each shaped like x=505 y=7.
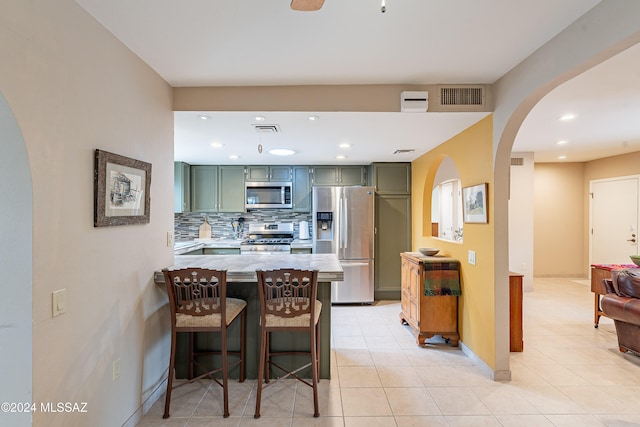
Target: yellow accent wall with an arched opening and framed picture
x=472 y=153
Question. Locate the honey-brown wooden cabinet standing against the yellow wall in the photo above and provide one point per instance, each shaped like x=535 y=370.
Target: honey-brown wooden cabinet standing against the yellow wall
x=426 y=315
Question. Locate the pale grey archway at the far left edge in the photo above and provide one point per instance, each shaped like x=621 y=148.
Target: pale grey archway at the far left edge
x=16 y=266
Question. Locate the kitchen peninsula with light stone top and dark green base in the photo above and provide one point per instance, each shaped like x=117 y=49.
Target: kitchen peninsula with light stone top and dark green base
x=242 y=283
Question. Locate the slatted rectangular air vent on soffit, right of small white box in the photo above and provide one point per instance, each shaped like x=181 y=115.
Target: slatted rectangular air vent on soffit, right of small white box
x=463 y=98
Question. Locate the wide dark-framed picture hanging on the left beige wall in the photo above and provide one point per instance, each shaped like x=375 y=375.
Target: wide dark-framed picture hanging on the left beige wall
x=121 y=190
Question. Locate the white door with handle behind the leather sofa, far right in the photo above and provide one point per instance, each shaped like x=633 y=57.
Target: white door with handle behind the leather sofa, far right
x=614 y=220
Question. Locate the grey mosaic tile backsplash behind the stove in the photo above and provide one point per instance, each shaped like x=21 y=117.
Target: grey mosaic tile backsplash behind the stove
x=187 y=224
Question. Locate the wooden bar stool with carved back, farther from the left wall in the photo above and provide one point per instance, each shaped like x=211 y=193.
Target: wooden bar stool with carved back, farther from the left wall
x=288 y=303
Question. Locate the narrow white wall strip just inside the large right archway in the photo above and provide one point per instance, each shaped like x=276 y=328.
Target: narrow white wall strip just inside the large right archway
x=521 y=214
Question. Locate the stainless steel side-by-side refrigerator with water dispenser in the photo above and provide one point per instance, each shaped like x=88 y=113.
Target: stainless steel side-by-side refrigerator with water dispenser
x=343 y=225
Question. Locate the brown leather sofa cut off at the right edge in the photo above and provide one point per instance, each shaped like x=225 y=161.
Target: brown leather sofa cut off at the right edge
x=622 y=304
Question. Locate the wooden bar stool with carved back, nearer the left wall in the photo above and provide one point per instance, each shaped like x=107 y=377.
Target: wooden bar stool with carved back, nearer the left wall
x=199 y=303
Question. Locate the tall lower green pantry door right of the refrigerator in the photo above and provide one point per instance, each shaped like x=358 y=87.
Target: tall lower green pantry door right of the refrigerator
x=393 y=236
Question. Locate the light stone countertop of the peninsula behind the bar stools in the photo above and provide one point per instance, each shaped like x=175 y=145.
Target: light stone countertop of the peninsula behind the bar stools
x=242 y=268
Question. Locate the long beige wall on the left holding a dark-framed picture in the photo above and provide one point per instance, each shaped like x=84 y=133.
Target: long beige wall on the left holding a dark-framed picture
x=73 y=88
